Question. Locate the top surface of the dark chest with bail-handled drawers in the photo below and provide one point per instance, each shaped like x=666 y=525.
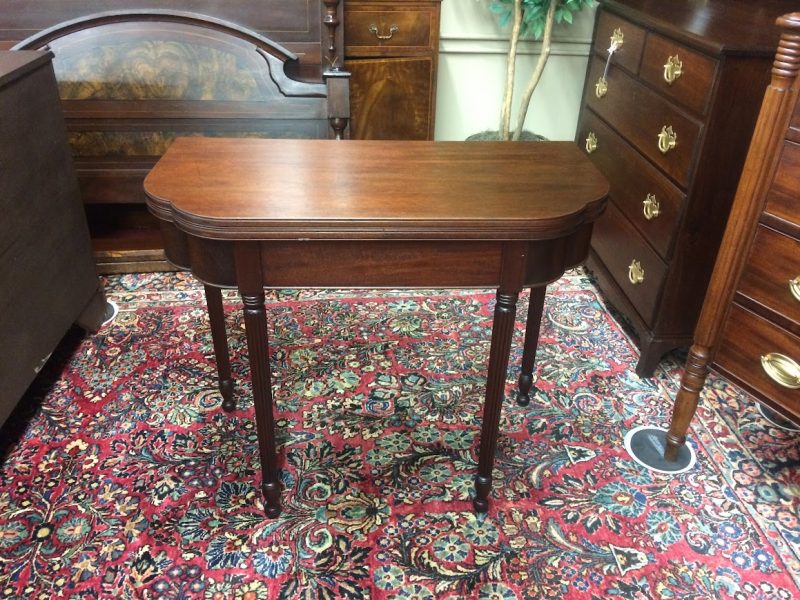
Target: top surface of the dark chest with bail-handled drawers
x=716 y=26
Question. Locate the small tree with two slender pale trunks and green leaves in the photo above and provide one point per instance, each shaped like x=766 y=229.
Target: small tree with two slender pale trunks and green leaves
x=532 y=19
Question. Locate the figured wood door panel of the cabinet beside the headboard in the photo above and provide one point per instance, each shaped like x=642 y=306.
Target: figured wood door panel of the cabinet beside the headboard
x=392 y=99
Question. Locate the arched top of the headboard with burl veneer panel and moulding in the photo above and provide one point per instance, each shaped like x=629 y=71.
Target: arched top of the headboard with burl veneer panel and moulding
x=167 y=55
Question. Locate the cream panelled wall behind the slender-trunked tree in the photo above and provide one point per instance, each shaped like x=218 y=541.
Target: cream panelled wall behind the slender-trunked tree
x=472 y=71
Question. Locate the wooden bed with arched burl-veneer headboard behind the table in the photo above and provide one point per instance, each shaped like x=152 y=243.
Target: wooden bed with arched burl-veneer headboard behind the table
x=131 y=81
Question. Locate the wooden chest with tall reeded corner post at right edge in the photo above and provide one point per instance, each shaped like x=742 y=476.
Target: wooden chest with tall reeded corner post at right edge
x=750 y=322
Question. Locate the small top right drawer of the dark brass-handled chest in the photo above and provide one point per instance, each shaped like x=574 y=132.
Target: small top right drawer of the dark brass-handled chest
x=684 y=75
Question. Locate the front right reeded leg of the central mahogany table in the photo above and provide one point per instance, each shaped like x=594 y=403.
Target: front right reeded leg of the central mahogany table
x=502 y=332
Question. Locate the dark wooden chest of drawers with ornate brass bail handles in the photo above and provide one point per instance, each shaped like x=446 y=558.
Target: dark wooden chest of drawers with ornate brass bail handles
x=668 y=119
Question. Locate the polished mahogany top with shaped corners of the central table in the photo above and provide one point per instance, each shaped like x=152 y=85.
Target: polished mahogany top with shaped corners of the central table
x=241 y=189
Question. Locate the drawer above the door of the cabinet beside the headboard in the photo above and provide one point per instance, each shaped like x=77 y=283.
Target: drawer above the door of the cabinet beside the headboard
x=382 y=32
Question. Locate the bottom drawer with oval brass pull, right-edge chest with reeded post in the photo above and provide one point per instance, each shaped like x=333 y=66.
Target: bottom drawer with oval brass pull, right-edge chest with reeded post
x=745 y=339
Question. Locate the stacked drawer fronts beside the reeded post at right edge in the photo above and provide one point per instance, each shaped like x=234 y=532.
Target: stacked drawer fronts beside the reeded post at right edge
x=760 y=344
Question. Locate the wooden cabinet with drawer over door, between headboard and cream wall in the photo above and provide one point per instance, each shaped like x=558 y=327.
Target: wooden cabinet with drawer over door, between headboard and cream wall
x=391 y=49
